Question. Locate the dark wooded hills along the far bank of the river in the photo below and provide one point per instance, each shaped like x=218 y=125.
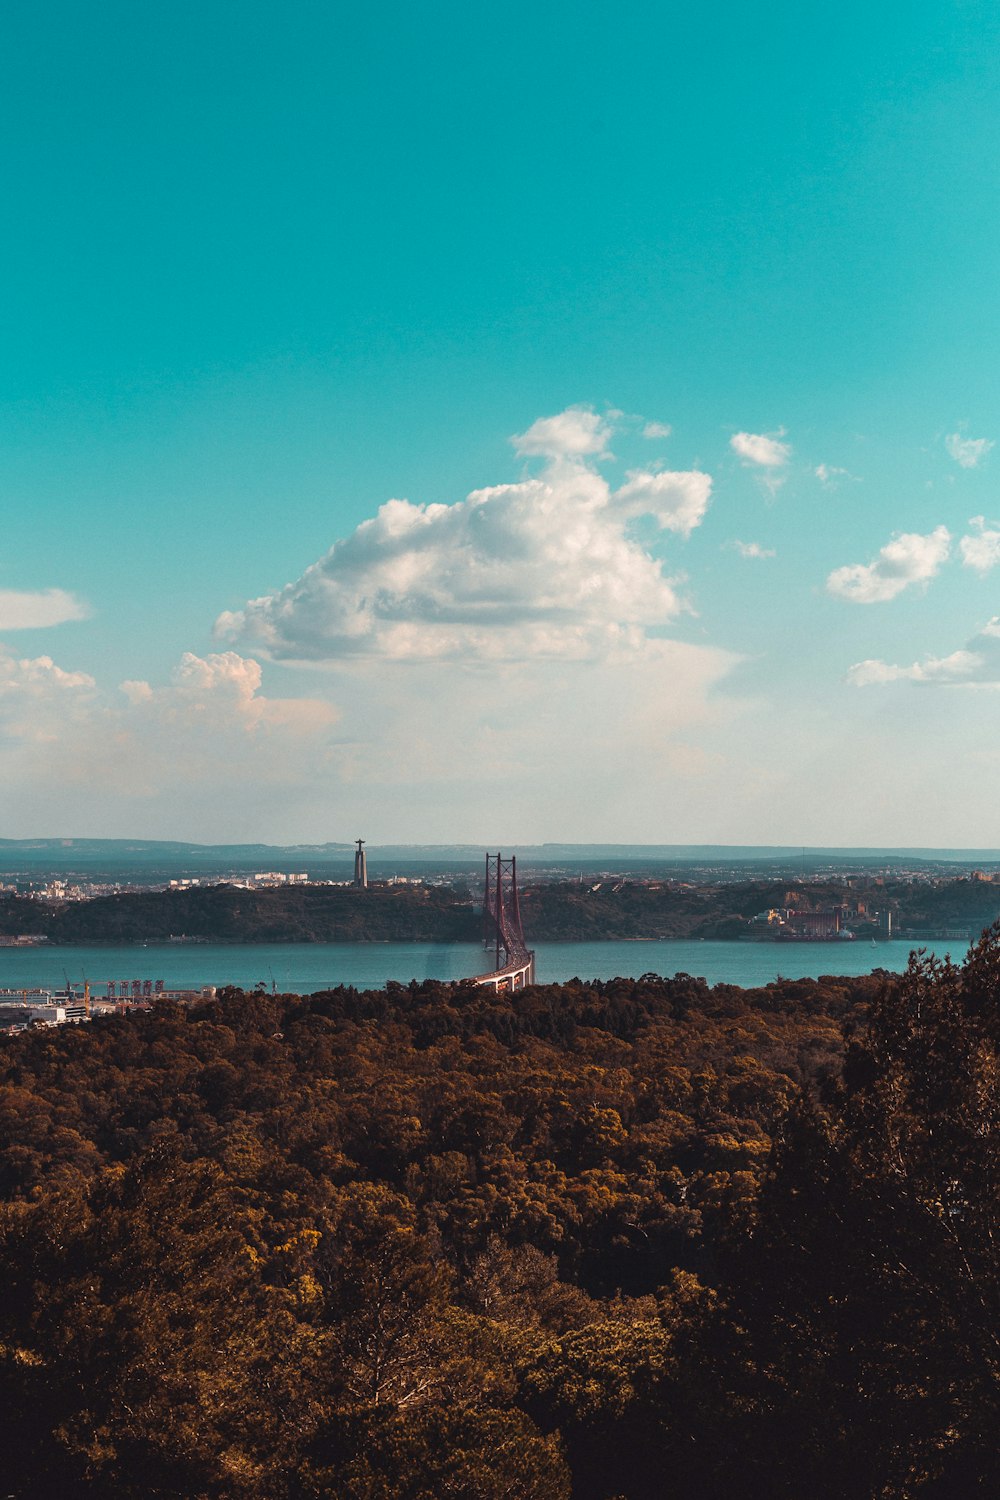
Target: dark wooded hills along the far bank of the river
x=552 y=911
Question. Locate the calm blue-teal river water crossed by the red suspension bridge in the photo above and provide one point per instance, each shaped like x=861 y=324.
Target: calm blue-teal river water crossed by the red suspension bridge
x=317 y=967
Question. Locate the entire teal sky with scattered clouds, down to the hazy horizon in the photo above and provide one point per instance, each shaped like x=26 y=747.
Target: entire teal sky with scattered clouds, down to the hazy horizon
x=501 y=424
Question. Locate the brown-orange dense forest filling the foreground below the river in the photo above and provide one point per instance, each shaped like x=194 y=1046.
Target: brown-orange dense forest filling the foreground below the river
x=617 y=1241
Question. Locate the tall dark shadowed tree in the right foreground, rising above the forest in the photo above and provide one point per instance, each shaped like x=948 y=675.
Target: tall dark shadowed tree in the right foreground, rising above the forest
x=860 y=1351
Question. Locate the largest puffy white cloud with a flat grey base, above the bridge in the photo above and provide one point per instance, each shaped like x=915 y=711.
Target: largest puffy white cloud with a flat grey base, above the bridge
x=543 y=569
